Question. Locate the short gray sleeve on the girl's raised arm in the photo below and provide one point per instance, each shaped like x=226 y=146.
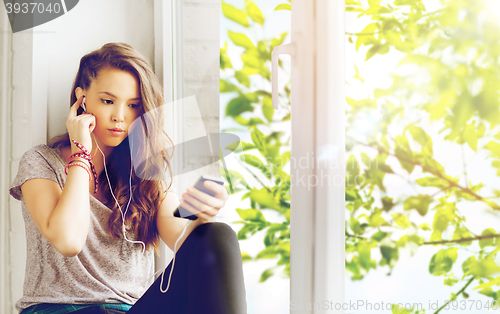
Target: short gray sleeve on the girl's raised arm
x=31 y=165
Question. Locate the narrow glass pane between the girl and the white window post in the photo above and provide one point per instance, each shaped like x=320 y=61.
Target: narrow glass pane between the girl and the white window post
x=249 y=31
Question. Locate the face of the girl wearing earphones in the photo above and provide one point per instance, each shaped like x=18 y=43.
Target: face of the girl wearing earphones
x=114 y=99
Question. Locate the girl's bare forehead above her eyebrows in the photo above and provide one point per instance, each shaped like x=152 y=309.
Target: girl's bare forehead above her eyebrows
x=120 y=83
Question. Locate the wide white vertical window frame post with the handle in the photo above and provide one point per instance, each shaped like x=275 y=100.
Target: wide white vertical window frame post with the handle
x=317 y=235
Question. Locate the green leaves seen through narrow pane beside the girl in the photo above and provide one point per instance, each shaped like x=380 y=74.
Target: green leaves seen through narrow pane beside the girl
x=269 y=151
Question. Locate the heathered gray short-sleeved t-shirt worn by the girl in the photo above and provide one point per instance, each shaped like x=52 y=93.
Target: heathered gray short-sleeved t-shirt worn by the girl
x=103 y=272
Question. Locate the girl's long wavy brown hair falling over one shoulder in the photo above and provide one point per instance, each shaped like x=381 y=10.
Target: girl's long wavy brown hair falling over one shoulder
x=150 y=148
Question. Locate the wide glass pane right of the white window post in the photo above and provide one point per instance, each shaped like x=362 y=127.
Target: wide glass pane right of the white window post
x=422 y=149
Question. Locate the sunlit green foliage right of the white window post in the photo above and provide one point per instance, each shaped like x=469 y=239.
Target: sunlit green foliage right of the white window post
x=452 y=53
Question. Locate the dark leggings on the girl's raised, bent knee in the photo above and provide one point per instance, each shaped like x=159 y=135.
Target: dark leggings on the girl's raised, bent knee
x=207 y=276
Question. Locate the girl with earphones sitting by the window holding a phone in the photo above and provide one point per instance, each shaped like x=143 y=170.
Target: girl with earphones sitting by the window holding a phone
x=95 y=253
